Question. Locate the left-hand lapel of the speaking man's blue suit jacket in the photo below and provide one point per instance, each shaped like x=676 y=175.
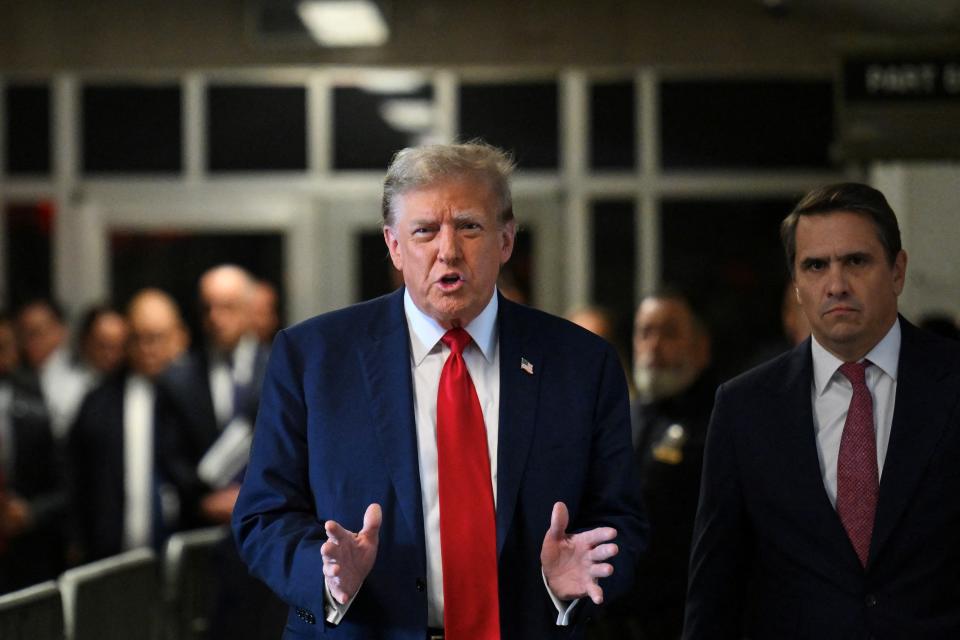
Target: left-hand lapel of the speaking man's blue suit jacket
x=386 y=361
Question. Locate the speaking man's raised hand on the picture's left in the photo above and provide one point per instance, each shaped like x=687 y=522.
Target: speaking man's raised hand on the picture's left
x=348 y=557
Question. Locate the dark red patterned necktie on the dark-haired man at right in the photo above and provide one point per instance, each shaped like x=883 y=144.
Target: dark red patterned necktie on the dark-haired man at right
x=857 y=476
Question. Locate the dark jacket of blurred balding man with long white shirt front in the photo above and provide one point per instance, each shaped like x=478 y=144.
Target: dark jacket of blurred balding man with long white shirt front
x=97 y=468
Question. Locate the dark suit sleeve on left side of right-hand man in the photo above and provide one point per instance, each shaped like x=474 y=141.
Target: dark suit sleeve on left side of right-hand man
x=722 y=541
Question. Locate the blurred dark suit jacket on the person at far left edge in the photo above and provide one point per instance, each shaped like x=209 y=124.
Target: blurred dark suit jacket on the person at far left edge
x=38 y=554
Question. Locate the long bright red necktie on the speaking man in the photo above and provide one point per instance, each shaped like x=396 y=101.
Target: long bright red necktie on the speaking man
x=468 y=534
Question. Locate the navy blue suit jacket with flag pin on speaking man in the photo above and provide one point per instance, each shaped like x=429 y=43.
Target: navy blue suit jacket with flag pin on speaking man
x=336 y=432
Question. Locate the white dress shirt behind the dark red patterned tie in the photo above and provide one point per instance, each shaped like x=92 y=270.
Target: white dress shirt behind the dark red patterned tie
x=831 y=392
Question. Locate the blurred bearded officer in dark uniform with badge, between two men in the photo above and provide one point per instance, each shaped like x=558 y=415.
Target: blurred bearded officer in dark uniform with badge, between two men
x=675 y=387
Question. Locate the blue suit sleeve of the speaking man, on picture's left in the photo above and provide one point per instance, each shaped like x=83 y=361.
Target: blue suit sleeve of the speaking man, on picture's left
x=277 y=530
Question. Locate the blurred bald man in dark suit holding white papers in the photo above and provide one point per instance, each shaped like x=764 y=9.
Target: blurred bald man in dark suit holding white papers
x=216 y=392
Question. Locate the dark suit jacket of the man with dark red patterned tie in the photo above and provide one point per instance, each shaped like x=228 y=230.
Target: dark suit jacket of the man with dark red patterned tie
x=770 y=555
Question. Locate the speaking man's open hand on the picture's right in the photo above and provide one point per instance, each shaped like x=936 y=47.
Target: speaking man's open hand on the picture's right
x=572 y=563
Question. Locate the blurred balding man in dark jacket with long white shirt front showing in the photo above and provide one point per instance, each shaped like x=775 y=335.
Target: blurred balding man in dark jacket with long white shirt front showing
x=123 y=433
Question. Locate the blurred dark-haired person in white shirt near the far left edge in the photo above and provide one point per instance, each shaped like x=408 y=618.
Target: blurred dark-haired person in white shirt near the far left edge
x=42 y=334
